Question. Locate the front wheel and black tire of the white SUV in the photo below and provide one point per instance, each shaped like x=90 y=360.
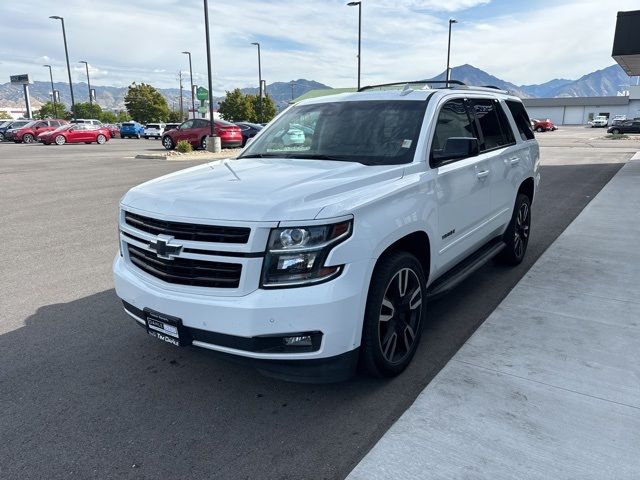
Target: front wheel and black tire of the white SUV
x=393 y=320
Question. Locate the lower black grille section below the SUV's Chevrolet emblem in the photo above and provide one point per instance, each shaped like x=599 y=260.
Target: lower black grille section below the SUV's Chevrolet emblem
x=186 y=271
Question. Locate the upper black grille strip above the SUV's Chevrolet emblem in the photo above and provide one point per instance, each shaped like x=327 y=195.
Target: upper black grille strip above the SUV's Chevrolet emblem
x=188 y=231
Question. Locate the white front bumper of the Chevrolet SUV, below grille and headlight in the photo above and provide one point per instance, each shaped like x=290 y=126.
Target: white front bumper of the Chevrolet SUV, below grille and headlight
x=335 y=309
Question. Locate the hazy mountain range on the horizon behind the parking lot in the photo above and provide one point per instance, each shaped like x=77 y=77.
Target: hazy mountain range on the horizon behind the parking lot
x=606 y=82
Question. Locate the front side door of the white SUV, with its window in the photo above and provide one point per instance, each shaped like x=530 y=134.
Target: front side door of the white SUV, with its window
x=462 y=187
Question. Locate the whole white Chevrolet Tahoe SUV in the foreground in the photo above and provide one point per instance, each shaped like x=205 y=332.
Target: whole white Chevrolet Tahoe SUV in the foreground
x=309 y=259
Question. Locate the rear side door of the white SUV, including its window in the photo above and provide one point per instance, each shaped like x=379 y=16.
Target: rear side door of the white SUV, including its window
x=498 y=149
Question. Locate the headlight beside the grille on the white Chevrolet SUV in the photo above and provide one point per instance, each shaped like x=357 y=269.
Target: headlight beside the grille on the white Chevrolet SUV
x=296 y=255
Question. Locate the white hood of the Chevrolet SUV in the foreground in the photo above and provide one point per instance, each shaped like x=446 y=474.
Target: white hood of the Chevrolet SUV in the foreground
x=258 y=189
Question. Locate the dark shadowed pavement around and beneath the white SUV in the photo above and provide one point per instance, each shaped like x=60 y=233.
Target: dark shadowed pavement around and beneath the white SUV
x=86 y=393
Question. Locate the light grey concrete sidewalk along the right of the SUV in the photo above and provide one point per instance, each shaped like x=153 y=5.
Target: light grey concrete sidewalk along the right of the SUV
x=549 y=386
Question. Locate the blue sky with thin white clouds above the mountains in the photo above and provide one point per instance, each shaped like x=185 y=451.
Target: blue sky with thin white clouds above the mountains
x=123 y=41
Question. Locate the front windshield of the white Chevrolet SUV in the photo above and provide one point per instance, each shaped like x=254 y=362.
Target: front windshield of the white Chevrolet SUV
x=368 y=132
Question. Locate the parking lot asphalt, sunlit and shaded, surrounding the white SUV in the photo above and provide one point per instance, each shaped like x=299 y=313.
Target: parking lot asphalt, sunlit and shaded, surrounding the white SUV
x=85 y=393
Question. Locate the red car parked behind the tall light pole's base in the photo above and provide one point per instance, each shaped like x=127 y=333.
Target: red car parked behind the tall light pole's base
x=195 y=131
